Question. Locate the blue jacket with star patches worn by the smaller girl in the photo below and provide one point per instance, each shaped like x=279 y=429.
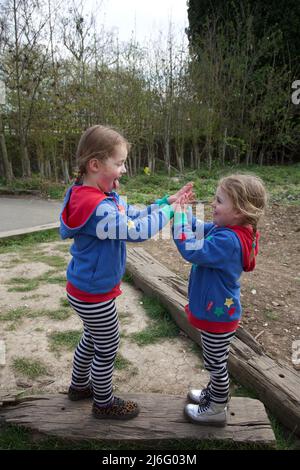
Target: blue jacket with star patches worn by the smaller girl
x=219 y=255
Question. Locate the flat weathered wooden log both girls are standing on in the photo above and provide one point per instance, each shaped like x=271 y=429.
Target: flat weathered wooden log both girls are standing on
x=161 y=418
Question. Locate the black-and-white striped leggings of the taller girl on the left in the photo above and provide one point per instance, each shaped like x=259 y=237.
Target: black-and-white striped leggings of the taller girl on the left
x=95 y=354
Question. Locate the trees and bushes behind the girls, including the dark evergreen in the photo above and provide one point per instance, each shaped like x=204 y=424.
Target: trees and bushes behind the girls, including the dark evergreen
x=233 y=105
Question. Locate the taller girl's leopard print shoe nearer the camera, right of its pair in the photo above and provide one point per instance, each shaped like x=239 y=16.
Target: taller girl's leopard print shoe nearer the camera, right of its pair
x=120 y=409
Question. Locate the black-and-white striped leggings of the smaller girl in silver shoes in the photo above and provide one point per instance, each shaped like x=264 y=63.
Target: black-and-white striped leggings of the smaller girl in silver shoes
x=215 y=354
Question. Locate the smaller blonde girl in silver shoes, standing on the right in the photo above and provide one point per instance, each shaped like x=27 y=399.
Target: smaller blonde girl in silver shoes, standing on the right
x=229 y=246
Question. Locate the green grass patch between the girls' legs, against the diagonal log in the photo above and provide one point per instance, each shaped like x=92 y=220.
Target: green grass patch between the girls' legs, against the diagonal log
x=161 y=325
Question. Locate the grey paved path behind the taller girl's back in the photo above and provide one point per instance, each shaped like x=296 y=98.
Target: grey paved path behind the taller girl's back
x=26 y=212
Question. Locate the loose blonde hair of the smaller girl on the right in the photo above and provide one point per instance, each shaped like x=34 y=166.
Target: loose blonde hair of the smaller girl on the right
x=249 y=196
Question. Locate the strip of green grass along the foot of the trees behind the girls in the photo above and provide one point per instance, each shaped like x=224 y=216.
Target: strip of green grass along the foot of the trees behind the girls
x=282 y=183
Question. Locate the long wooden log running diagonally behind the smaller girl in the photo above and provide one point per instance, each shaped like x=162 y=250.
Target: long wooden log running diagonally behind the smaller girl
x=277 y=385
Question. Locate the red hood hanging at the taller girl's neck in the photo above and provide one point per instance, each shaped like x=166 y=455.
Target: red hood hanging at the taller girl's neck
x=82 y=203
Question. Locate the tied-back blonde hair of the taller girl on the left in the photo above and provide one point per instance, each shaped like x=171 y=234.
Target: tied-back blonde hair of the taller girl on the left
x=97 y=142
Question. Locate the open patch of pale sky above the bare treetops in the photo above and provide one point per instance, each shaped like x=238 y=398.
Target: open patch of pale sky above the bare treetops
x=145 y=17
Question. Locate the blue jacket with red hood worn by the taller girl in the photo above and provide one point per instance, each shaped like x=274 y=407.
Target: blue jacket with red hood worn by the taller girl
x=100 y=224
